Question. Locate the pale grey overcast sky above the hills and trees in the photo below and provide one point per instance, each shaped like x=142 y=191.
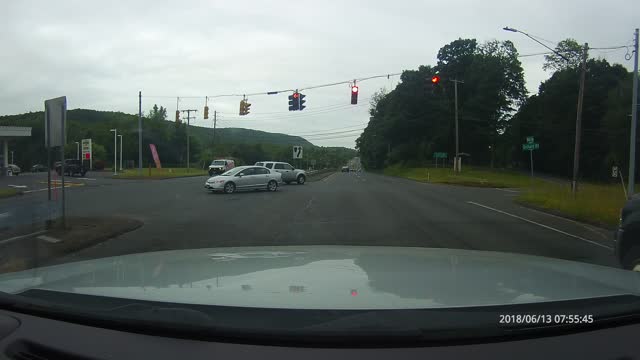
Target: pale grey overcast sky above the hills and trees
x=100 y=54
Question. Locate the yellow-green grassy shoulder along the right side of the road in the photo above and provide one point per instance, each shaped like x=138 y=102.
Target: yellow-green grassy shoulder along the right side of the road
x=594 y=203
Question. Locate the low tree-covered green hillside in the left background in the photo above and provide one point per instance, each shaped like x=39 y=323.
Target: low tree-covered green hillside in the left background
x=245 y=145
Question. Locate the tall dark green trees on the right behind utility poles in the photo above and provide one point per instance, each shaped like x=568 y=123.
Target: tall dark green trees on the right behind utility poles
x=496 y=115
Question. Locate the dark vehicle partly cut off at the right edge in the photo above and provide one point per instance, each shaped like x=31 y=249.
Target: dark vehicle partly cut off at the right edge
x=627 y=236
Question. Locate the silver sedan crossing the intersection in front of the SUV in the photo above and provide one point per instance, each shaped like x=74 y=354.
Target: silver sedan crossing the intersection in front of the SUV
x=244 y=178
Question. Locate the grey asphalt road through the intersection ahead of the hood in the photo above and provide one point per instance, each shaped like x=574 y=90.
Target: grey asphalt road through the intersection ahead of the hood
x=344 y=208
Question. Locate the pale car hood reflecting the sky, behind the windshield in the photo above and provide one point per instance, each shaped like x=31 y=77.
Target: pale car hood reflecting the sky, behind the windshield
x=330 y=277
